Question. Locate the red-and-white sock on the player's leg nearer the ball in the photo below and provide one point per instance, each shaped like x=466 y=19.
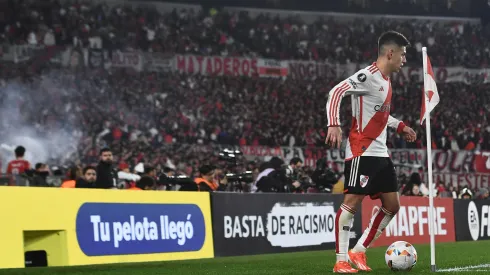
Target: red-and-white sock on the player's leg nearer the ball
x=376 y=226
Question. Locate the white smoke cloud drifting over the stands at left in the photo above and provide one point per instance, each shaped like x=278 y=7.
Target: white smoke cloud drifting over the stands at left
x=21 y=126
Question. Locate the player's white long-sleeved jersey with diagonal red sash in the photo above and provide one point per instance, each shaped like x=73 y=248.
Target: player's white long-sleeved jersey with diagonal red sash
x=370 y=93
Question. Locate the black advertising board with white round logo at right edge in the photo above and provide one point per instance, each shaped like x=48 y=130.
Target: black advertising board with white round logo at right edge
x=472 y=218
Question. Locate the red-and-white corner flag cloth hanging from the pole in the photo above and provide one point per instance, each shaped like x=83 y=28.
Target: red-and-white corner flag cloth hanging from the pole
x=429 y=94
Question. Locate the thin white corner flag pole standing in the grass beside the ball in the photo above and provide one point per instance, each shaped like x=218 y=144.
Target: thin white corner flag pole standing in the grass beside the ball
x=429 y=169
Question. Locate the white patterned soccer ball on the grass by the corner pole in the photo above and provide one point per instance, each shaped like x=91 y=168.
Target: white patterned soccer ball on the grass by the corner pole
x=401 y=256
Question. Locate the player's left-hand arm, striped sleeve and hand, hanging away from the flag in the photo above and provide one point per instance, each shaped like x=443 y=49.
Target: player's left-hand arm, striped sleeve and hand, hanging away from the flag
x=357 y=84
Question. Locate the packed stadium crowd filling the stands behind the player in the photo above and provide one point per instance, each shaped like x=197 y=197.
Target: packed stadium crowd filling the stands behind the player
x=154 y=117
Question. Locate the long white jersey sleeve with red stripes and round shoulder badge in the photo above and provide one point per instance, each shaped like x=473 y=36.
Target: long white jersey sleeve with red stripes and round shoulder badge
x=357 y=84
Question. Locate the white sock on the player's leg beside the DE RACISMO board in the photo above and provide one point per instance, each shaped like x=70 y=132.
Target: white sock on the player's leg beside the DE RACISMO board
x=343 y=223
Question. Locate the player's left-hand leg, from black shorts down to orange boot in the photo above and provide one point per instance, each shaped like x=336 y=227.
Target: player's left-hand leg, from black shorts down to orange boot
x=345 y=215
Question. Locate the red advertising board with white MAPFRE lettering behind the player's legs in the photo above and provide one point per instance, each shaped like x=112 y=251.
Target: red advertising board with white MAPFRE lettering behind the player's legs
x=411 y=224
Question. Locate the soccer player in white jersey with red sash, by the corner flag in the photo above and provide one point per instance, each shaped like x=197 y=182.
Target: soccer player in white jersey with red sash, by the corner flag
x=368 y=167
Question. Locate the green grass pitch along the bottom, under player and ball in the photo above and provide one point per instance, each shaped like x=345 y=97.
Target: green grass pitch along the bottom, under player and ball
x=462 y=258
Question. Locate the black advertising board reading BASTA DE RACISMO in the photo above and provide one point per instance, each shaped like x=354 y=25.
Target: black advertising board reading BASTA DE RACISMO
x=272 y=223
